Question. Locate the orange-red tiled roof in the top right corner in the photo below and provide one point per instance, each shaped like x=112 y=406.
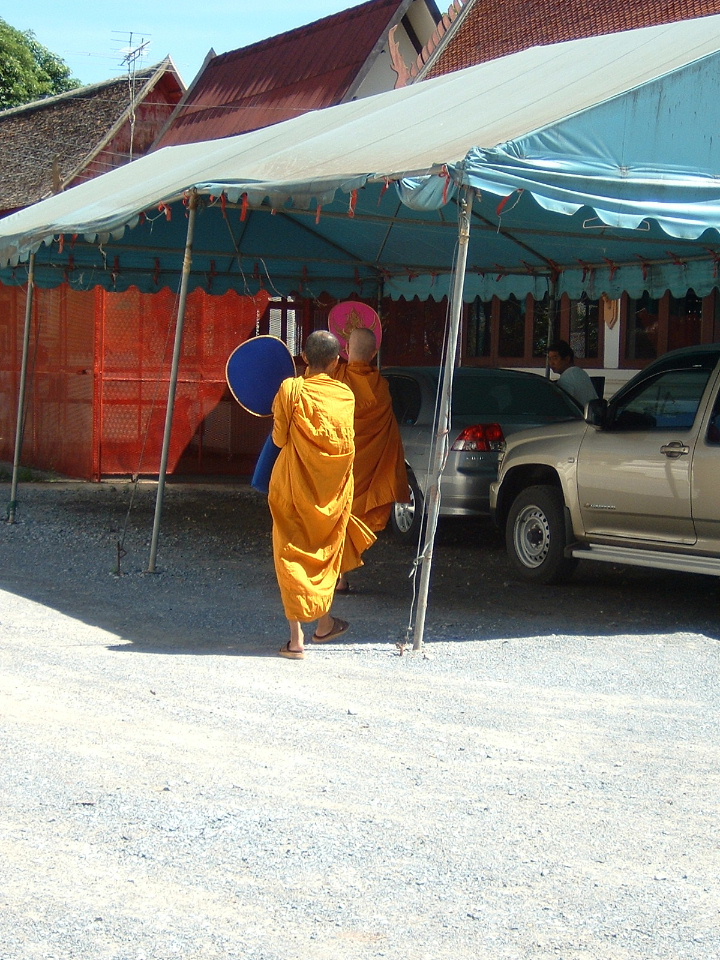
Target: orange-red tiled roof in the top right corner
x=488 y=29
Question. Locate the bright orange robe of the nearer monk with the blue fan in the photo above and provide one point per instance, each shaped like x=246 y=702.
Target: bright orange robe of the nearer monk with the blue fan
x=311 y=494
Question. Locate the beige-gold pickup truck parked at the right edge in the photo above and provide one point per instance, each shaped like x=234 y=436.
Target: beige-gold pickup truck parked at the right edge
x=636 y=482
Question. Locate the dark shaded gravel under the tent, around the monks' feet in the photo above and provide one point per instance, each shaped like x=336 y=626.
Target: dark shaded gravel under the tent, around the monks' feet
x=215 y=591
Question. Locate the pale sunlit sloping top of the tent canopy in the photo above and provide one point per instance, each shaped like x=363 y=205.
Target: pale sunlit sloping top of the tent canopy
x=416 y=130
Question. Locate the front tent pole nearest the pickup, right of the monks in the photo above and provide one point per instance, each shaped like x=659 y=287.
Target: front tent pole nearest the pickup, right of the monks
x=443 y=420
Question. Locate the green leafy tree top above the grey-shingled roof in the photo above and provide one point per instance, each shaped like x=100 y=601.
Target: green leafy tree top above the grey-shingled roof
x=28 y=70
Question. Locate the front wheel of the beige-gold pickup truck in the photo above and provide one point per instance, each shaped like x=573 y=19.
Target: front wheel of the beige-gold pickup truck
x=535 y=536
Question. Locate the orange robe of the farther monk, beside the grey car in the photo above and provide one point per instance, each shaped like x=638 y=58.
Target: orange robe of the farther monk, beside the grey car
x=379 y=469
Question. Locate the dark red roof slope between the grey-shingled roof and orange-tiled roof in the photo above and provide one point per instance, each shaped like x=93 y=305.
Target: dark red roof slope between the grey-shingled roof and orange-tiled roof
x=282 y=77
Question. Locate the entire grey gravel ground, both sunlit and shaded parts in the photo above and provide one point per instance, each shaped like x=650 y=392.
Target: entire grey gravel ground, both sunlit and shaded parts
x=542 y=783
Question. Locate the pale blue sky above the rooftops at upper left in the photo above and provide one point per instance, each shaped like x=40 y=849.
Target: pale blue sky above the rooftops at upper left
x=91 y=35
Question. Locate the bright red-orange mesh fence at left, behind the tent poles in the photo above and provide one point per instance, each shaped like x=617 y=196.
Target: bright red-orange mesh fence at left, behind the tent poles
x=98 y=378
